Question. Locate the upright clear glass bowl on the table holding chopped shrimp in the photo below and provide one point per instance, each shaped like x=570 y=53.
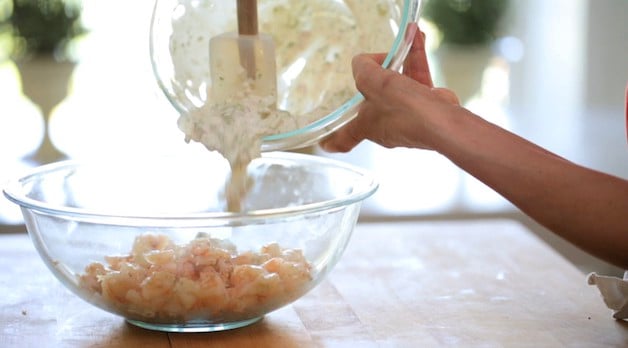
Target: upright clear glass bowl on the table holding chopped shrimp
x=150 y=240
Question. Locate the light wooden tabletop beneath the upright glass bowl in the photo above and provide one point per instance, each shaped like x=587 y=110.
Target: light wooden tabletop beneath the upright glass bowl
x=410 y=284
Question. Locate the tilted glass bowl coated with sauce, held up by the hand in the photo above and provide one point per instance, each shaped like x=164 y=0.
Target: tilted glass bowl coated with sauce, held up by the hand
x=314 y=43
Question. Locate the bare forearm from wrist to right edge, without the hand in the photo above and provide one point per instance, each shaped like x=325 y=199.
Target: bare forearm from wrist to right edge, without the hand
x=586 y=207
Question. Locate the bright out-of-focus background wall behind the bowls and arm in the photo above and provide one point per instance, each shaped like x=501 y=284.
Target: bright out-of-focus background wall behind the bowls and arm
x=553 y=71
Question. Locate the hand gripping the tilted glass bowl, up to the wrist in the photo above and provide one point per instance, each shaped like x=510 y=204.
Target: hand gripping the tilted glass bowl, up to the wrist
x=396 y=105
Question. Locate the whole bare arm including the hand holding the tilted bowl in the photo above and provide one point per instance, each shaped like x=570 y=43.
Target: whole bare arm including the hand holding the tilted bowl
x=584 y=206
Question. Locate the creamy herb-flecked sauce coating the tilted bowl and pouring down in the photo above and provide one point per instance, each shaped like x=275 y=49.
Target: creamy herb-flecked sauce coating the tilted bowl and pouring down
x=314 y=41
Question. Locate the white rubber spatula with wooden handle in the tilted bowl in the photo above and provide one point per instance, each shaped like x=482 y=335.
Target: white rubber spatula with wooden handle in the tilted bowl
x=245 y=58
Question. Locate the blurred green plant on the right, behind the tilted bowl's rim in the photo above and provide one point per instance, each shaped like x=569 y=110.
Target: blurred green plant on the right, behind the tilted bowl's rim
x=466 y=22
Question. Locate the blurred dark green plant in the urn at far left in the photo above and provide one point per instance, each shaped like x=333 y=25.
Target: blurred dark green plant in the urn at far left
x=39 y=26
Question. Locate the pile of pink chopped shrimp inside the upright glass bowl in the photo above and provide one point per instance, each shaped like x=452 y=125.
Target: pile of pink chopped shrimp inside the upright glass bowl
x=205 y=278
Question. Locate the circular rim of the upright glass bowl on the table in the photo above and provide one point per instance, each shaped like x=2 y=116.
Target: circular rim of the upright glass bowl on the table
x=14 y=191
